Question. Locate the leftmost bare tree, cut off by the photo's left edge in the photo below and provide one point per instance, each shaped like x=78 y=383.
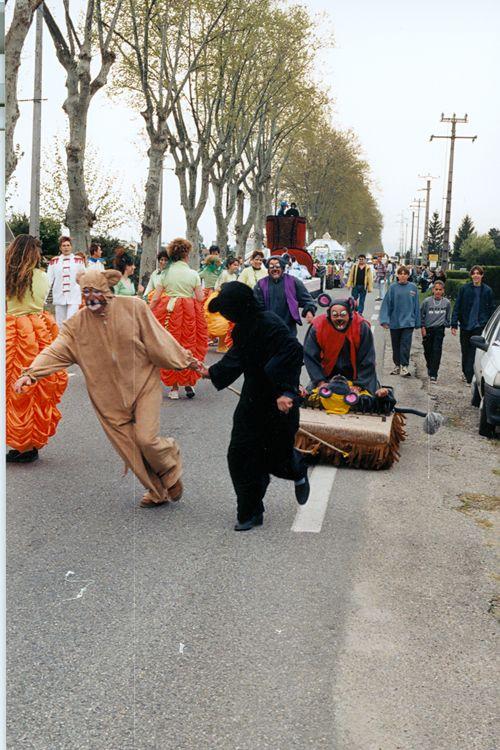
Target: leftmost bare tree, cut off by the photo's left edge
x=14 y=43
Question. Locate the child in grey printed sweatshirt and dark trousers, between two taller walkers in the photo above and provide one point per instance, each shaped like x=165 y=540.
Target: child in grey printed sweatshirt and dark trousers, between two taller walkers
x=435 y=314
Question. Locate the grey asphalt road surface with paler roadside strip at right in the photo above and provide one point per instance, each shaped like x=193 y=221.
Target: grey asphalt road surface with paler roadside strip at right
x=164 y=629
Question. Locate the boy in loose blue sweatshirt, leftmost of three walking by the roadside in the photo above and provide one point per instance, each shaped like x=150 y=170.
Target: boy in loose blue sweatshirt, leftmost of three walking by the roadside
x=400 y=312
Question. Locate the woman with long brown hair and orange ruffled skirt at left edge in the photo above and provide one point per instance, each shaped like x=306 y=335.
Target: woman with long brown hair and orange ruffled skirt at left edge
x=31 y=417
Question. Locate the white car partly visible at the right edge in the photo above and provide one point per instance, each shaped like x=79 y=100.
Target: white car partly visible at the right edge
x=486 y=380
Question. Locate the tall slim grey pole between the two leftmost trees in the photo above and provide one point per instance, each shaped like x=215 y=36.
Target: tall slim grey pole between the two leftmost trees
x=37 y=129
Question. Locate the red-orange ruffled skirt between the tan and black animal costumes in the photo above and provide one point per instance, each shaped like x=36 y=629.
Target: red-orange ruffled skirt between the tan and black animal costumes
x=186 y=323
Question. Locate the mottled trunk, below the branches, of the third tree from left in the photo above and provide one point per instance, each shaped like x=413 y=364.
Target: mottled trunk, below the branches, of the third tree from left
x=151 y=219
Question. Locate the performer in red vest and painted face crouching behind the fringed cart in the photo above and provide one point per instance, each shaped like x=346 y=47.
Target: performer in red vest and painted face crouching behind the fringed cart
x=340 y=342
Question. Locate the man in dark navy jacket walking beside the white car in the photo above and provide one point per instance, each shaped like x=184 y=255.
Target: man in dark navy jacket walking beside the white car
x=473 y=308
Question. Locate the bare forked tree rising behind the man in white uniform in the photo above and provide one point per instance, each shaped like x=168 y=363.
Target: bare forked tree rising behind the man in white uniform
x=75 y=51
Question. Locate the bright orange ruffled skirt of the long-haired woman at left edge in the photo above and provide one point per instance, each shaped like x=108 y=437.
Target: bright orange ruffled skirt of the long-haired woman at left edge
x=31 y=417
